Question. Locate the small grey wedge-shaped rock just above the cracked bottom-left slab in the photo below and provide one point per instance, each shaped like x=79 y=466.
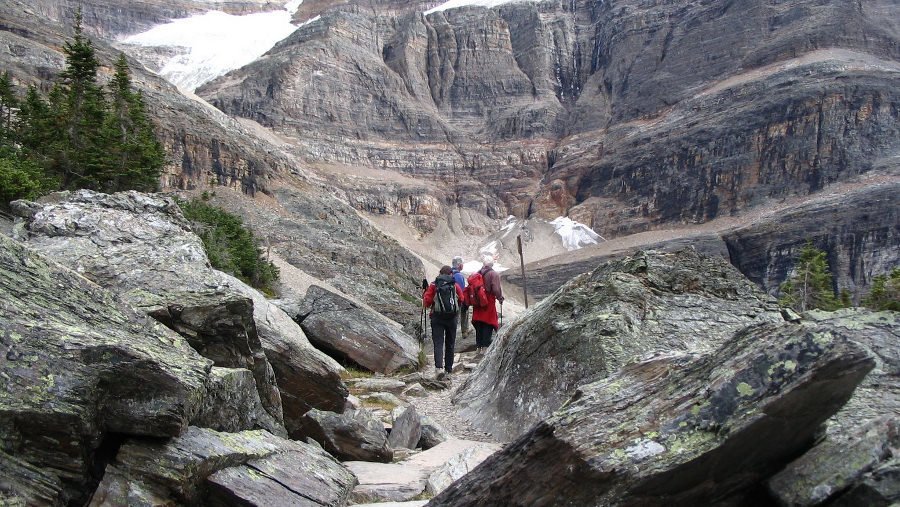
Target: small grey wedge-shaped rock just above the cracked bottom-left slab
x=232 y=404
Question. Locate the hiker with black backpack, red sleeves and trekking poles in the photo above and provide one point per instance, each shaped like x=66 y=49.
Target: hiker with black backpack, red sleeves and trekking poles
x=444 y=298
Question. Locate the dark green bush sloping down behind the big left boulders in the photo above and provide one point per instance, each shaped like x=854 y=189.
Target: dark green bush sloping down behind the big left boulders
x=230 y=246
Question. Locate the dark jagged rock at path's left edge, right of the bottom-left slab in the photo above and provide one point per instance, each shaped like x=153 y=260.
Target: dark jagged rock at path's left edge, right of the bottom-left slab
x=351 y=435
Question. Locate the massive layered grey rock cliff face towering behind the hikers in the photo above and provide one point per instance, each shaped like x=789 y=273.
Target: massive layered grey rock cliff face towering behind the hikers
x=626 y=115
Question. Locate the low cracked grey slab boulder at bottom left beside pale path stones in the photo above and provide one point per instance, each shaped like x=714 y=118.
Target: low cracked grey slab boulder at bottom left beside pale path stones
x=204 y=466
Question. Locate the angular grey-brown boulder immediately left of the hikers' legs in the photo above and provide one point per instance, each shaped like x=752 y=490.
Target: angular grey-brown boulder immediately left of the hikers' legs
x=350 y=332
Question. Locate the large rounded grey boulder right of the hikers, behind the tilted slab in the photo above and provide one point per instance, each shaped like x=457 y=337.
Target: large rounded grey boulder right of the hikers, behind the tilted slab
x=601 y=321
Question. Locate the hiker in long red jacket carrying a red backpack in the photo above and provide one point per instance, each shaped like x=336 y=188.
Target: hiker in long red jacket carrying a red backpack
x=482 y=294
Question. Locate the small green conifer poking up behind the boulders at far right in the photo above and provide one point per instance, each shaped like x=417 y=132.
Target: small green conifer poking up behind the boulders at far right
x=810 y=286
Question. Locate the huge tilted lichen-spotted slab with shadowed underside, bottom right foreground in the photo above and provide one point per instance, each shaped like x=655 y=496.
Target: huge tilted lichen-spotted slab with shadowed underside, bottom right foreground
x=679 y=429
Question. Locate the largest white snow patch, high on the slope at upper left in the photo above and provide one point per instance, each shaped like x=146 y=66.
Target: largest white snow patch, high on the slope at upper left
x=214 y=43
